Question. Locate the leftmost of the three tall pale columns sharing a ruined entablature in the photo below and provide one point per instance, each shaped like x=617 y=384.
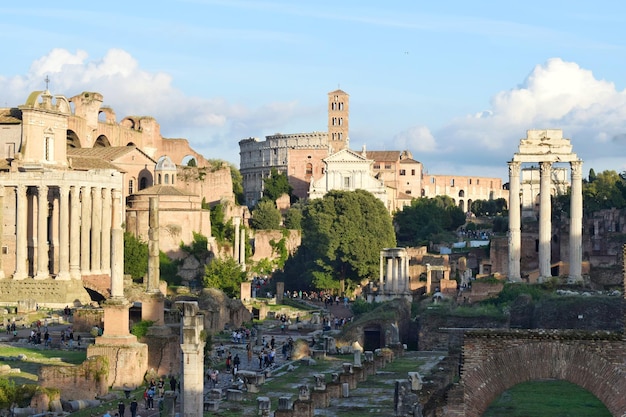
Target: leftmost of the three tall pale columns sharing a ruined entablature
x=515 y=231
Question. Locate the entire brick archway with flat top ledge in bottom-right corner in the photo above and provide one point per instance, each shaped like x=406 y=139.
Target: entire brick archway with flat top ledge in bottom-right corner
x=496 y=363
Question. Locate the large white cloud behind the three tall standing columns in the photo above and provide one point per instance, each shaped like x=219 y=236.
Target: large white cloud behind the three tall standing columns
x=557 y=94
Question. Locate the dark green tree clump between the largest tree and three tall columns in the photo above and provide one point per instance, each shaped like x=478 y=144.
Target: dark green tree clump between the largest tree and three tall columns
x=426 y=219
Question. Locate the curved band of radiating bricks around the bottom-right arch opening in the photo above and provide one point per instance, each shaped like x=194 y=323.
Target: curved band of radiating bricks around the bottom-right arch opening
x=572 y=362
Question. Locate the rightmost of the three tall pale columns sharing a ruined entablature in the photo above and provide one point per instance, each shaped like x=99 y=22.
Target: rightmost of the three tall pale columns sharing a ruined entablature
x=576 y=225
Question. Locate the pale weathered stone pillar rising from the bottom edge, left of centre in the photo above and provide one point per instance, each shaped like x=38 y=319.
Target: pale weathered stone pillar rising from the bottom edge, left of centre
x=192 y=347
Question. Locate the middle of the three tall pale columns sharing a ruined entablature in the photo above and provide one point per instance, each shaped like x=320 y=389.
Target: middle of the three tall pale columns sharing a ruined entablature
x=545 y=220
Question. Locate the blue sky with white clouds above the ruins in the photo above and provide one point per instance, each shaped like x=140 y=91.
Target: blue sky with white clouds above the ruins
x=456 y=83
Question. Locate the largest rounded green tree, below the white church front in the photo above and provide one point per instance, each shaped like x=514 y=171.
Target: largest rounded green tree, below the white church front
x=342 y=235
